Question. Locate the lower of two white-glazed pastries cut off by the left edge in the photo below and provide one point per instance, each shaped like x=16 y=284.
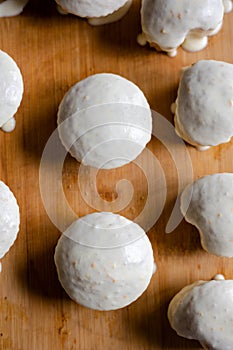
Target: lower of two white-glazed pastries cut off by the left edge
x=9 y=219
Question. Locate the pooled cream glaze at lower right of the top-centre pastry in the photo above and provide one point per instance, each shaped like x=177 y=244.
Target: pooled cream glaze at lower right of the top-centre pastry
x=113 y=17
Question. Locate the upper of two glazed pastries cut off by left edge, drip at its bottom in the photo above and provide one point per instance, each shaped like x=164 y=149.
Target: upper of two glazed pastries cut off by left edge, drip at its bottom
x=11 y=91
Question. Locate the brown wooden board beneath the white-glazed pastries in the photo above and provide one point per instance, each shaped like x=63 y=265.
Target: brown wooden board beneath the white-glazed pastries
x=53 y=53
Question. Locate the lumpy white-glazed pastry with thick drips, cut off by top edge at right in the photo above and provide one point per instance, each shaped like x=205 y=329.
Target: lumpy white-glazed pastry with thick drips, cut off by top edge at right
x=167 y=24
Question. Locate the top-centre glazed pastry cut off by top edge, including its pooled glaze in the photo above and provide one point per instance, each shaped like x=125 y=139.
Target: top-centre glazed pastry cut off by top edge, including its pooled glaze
x=97 y=11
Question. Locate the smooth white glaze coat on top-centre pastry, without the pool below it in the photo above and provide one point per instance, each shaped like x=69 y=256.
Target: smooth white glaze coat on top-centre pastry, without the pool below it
x=90 y=9
